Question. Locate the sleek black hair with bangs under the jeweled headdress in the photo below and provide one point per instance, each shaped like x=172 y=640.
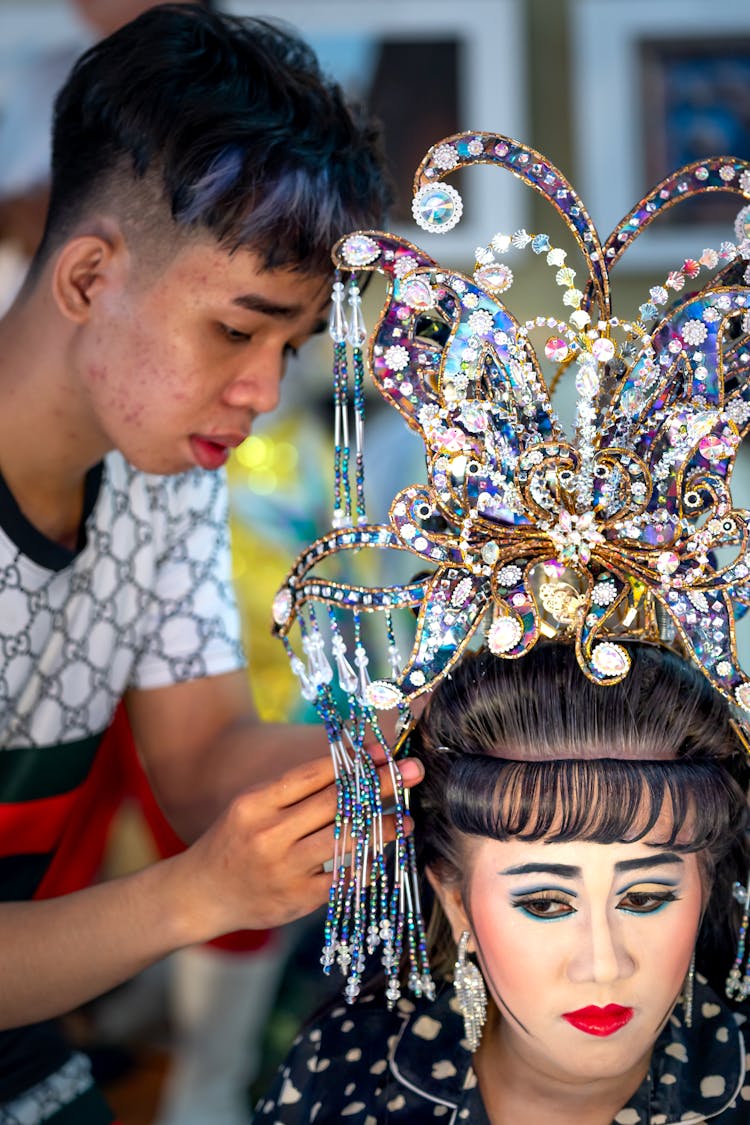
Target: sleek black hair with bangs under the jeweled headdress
x=534 y=750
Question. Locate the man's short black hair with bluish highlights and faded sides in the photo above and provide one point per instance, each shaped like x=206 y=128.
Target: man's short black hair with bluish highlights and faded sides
x=233 y=119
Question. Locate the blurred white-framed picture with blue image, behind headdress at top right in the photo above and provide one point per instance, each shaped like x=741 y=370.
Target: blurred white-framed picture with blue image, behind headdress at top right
x=657 y=86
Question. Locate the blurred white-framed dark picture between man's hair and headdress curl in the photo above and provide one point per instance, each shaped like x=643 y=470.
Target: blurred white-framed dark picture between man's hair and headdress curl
x=427 y=69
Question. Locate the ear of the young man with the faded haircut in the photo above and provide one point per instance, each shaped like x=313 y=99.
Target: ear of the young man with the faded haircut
x=85 y=267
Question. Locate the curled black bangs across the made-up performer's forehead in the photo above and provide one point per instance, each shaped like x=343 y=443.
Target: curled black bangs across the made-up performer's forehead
x=598 y=800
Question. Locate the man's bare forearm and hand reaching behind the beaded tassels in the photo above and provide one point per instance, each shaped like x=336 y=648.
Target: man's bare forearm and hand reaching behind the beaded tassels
x=260 y=865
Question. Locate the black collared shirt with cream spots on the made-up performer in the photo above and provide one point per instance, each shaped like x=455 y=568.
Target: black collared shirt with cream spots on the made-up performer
x=366 y=1066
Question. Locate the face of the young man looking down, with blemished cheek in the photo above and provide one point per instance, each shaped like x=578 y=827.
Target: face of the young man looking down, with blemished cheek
x=178 y=367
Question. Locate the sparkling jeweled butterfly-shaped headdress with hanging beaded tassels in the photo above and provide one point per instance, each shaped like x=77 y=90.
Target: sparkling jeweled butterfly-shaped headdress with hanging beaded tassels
x=521 y=532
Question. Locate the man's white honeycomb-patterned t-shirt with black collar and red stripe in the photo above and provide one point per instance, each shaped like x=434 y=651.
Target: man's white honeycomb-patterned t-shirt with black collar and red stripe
x=144 y=601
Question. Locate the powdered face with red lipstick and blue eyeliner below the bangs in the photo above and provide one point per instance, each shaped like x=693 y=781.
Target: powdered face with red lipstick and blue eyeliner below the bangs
x=584 y=947
